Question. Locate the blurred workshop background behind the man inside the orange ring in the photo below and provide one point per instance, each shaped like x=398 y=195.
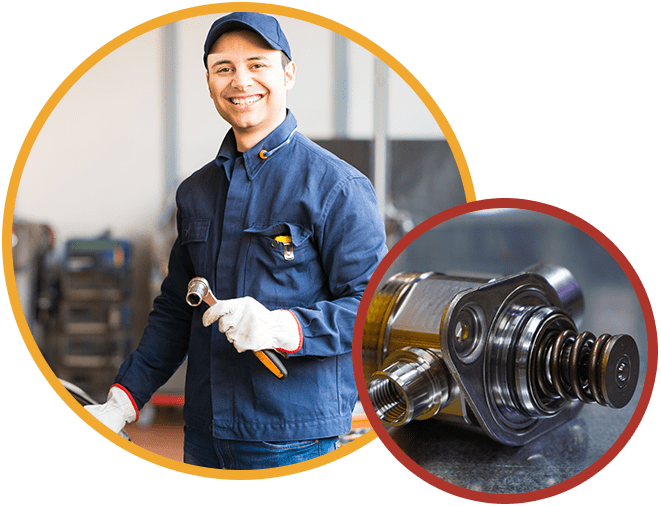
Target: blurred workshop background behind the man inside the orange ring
x=95 y=217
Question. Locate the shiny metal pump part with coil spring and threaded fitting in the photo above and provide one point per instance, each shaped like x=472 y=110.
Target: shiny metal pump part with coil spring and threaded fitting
x=500 y=354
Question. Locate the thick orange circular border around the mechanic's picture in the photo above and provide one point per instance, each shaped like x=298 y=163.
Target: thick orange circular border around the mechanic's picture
x=38 y=124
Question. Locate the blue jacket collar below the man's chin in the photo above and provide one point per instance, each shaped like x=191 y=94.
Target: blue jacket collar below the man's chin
x=255 y=158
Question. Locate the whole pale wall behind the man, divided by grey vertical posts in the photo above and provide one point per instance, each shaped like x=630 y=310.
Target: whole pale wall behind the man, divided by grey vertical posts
x=98 y=163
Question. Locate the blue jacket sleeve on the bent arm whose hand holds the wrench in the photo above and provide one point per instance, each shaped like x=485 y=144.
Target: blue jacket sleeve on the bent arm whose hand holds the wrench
x=352 y=241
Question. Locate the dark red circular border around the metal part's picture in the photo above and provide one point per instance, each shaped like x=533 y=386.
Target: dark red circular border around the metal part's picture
x=648 y=385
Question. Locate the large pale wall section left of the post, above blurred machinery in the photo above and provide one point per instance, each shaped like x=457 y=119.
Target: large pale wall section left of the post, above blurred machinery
x=97 y=162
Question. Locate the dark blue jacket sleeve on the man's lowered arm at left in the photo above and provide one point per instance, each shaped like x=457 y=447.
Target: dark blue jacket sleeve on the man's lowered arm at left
x=164 y=343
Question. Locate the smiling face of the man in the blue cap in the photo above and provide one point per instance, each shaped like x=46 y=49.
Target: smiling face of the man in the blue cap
x=248 y=84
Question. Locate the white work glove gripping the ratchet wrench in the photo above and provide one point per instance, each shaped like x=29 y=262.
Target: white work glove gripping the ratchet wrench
x=248 y=325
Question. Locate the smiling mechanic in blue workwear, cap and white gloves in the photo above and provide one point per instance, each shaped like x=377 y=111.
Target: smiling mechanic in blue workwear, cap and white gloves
x=288 y=236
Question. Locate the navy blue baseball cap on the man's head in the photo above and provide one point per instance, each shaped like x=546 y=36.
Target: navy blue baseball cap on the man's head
x=266 y=26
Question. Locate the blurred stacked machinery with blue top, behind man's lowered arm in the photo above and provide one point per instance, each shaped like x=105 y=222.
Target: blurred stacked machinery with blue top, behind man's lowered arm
x=93 y=332
